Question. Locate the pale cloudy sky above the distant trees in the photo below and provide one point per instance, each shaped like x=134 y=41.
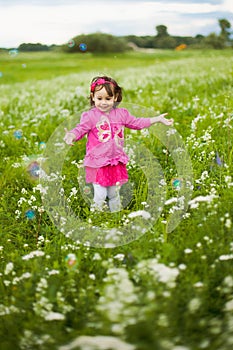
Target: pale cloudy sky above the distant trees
x=57 y=21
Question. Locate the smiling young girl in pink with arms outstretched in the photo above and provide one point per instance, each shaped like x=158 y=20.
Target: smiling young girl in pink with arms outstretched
x=105 y=160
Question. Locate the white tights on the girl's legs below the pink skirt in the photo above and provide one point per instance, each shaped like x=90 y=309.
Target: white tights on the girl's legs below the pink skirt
x=101 y=193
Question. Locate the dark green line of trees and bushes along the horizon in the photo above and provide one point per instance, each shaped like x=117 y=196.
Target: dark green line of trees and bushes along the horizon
x=102 y=42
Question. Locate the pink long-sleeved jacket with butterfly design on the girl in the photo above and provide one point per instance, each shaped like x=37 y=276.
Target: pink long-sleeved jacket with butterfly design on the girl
x=106 y=135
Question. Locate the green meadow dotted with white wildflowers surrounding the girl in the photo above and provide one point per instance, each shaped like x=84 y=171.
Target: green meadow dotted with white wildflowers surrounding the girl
x=153 y=288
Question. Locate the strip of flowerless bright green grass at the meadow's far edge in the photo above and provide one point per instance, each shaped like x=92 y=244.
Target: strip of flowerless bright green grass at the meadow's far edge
x=44 y=65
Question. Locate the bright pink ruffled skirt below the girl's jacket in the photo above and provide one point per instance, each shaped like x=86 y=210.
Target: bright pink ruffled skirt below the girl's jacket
x=109 y=175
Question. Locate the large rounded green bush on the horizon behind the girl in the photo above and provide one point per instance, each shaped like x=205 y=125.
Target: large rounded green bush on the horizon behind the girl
x=96 y=42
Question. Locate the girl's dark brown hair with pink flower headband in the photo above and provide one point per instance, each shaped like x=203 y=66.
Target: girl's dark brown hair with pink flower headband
x=111 y=86
